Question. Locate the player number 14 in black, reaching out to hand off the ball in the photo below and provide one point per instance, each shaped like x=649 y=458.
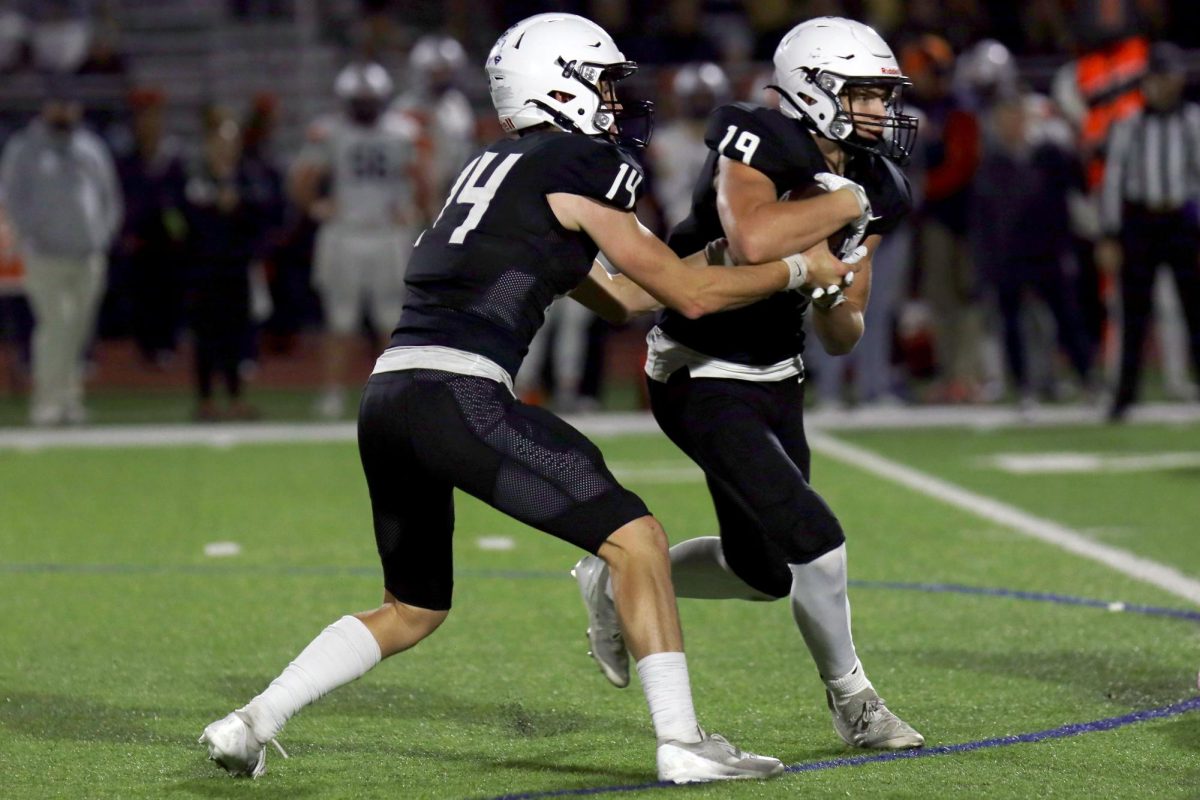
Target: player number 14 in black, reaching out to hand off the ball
x=521 y=226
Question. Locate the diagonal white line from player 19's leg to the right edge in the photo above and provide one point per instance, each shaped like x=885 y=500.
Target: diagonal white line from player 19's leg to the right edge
x=1162 y=576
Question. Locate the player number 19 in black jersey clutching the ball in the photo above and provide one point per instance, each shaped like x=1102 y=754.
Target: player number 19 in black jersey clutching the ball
x=727 y=389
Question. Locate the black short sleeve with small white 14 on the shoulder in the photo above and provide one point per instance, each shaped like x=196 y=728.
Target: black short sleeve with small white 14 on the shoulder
x=578 y=165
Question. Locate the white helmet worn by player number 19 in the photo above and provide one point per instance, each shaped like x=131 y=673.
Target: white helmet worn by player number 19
x=823 y=58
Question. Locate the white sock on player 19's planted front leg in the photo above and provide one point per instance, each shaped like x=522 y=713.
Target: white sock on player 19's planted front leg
x=821 y=610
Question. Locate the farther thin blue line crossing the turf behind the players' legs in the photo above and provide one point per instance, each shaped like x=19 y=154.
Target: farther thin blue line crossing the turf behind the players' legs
x=562 y=575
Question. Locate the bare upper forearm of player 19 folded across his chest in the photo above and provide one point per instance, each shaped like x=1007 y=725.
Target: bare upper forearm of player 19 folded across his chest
x=776 y=230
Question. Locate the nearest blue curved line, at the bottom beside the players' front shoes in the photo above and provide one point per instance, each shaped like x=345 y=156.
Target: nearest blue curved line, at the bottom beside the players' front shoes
x=1063 y=732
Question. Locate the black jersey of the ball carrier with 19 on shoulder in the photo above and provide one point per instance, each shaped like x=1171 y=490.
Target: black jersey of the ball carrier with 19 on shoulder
x=782 y=149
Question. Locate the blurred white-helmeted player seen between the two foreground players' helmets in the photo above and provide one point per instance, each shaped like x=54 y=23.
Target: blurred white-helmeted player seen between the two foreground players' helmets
x=679 y=152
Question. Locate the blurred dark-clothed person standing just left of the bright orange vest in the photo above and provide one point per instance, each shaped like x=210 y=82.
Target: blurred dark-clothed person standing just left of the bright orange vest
x=1021 y=233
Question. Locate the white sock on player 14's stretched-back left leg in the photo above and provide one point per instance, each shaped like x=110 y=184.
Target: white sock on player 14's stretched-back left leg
x=341 y=653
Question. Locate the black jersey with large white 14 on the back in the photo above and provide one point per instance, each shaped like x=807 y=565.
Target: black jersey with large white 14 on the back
x=481 y=279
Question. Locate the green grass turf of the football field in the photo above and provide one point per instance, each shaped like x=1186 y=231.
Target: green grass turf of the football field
x=122 y=640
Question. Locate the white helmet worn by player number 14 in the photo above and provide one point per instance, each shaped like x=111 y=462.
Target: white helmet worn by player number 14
x=573 y=57
